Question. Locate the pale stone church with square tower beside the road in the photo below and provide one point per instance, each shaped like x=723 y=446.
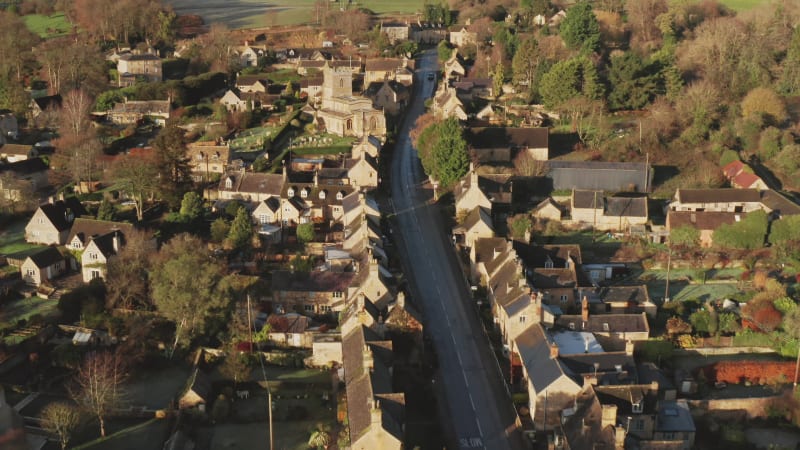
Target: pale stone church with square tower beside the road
x=344 y=114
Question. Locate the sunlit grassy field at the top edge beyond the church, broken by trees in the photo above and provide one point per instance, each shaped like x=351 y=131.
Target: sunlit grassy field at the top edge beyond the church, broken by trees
x=255 y=13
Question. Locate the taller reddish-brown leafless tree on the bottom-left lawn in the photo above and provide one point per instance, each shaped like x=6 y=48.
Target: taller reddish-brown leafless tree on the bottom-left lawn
x=98 y=384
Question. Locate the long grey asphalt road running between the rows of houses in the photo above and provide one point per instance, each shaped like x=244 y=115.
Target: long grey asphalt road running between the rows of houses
x=476 y=400
